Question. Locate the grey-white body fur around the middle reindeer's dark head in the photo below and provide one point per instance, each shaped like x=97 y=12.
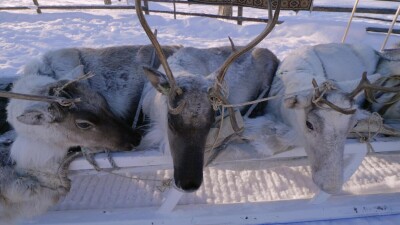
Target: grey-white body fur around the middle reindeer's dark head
x=201 y=65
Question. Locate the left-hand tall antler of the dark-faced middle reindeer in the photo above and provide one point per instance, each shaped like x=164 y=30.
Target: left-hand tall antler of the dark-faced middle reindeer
x=157 y=47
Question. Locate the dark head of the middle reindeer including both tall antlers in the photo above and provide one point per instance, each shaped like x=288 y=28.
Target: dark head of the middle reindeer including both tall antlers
x=190 y=111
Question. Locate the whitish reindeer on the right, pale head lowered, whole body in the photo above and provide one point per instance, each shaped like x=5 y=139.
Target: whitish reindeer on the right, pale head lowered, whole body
x=319 y=118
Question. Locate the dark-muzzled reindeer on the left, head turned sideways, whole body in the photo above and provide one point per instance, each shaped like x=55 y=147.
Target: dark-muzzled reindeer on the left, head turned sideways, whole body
x=48 y=129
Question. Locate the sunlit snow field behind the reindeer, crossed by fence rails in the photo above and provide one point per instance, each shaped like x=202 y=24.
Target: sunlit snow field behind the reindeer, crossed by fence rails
x=25 y=34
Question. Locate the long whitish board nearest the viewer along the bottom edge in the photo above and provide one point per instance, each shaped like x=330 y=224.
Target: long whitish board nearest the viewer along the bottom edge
x=337 y=207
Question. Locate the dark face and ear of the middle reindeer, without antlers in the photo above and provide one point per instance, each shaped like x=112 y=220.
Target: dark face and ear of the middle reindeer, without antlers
x=190 y=116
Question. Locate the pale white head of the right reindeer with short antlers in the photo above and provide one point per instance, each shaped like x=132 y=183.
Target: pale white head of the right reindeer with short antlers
x=326 y=117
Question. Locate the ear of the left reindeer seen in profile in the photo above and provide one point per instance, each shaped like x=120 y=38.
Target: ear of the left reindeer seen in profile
x=39 y=114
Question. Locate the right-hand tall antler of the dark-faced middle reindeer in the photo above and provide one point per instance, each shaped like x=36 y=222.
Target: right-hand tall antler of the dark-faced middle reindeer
x=270 y=25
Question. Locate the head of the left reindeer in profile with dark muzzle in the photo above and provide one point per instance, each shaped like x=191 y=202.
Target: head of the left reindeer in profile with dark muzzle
x=87 y=123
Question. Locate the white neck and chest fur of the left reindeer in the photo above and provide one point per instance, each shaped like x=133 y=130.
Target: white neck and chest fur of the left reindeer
x=39 y=155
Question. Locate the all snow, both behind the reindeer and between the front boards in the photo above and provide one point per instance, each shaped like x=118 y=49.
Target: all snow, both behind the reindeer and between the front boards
x=25 y=35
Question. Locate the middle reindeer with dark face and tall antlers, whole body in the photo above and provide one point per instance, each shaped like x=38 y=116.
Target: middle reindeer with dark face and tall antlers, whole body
x=181 y=107
